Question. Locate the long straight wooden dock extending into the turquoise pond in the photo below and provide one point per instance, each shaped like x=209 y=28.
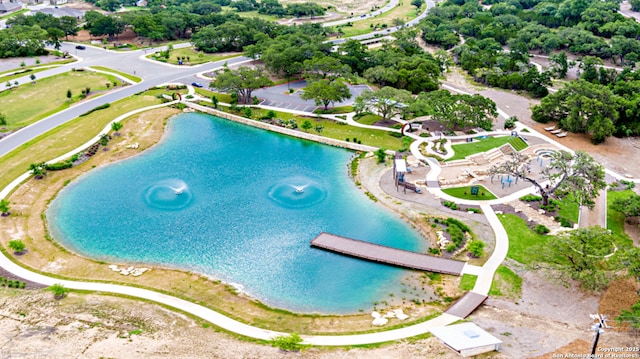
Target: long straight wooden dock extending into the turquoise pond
x=388 y=255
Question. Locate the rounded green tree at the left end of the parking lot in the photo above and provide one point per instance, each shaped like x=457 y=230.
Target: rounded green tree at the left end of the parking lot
x=242 y=81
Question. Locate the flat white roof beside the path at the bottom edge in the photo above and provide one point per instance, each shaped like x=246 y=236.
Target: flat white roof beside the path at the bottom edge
x=465 y=336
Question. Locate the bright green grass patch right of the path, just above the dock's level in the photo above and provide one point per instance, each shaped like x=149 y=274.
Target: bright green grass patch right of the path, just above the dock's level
x=522 y=240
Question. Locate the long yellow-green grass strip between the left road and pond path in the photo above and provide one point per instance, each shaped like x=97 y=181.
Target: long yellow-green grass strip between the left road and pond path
x=66 y=137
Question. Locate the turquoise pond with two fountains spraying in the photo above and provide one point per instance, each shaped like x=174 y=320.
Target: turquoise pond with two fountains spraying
x=238 y=204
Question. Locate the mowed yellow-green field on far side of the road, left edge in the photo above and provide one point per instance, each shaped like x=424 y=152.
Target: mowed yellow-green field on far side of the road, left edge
x=31 y=102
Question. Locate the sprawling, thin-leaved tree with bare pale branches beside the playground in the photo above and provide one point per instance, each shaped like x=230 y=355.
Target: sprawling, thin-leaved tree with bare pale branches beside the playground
x=576 y=176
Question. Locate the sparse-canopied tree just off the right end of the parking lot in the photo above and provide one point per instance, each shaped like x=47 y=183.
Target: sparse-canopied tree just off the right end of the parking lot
x=386 y=102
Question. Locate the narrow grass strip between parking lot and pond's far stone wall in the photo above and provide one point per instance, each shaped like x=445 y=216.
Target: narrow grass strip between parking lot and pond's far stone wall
x=333 y=129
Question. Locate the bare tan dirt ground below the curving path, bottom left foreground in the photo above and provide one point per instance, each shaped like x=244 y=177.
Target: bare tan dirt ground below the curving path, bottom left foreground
x=33 y=324
